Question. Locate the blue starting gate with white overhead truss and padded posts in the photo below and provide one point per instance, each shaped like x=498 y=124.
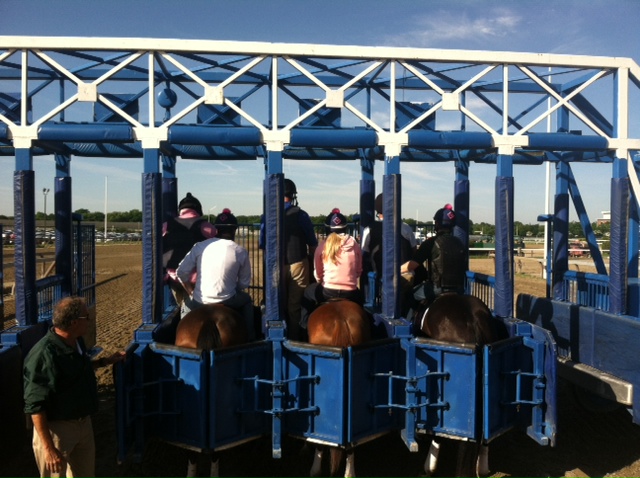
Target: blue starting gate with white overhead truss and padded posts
x=161 y=100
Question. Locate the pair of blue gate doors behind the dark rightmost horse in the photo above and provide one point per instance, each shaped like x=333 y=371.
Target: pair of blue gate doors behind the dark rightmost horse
x=516 y=377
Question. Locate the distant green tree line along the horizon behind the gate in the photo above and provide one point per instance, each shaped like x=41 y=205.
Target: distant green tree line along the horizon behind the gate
x=481 y=228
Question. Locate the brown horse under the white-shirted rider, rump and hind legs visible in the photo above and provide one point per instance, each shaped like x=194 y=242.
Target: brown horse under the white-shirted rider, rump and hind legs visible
x=210 y=327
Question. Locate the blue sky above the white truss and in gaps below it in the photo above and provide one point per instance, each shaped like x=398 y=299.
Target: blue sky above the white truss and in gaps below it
x=581 y=27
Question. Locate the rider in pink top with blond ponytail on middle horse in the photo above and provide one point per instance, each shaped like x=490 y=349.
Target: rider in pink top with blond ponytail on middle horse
x=338 y=265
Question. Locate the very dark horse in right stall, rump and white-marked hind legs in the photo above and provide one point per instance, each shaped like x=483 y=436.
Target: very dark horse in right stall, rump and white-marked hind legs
x=457 y=318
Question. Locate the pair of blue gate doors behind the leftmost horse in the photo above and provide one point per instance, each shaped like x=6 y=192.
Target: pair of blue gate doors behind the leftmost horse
x=203 y=400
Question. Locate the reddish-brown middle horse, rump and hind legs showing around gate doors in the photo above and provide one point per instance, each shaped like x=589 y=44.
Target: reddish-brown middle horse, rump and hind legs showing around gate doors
x=337 y=323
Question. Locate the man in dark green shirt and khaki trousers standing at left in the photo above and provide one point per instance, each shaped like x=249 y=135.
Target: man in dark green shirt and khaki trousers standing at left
x=60 y=393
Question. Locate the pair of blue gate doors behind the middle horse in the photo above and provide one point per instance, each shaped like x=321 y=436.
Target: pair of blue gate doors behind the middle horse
x=333 y=392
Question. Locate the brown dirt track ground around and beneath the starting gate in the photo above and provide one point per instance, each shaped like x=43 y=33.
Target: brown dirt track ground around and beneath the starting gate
x=589 y=444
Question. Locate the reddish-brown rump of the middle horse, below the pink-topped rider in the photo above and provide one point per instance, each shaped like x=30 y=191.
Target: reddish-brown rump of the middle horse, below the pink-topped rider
x=339 y=323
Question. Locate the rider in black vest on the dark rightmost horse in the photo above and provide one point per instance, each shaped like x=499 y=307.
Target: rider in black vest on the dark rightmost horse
x=445 y=258
